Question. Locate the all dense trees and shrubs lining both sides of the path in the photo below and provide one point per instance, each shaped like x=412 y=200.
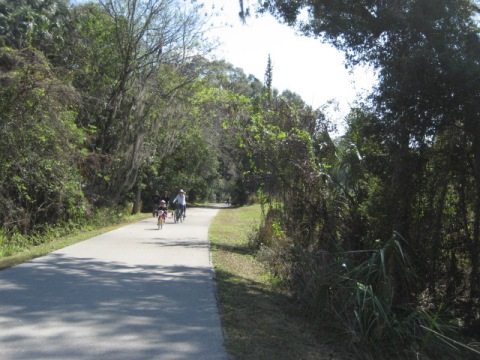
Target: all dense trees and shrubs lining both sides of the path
x=377 y=232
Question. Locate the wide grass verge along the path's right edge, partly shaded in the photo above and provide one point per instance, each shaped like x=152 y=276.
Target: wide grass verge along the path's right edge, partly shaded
x=259 y=320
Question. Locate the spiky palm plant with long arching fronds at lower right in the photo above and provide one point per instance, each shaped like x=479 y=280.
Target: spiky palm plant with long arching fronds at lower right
x=371 y=316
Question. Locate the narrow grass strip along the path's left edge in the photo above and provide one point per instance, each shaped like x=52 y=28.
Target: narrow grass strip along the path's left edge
x=46 y=248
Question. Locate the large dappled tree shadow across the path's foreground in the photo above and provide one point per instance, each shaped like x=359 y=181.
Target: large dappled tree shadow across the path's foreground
x=80 y=308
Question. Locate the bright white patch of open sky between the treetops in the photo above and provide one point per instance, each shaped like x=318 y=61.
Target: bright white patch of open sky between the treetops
x=306 y=66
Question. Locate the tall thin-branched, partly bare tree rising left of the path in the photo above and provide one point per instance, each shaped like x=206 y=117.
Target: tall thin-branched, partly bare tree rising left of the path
x=132 y=47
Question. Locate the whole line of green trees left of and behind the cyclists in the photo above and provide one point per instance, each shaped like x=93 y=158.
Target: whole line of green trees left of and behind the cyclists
x=105 y=103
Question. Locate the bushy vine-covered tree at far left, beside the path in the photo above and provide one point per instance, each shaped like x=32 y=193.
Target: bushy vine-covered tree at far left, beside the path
x=40 y=184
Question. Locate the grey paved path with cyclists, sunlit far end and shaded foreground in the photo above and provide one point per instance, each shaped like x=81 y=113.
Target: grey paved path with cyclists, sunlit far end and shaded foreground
x=133 y=293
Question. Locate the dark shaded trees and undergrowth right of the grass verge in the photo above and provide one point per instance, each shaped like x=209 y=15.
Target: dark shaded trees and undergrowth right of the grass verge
x=378 y=231
